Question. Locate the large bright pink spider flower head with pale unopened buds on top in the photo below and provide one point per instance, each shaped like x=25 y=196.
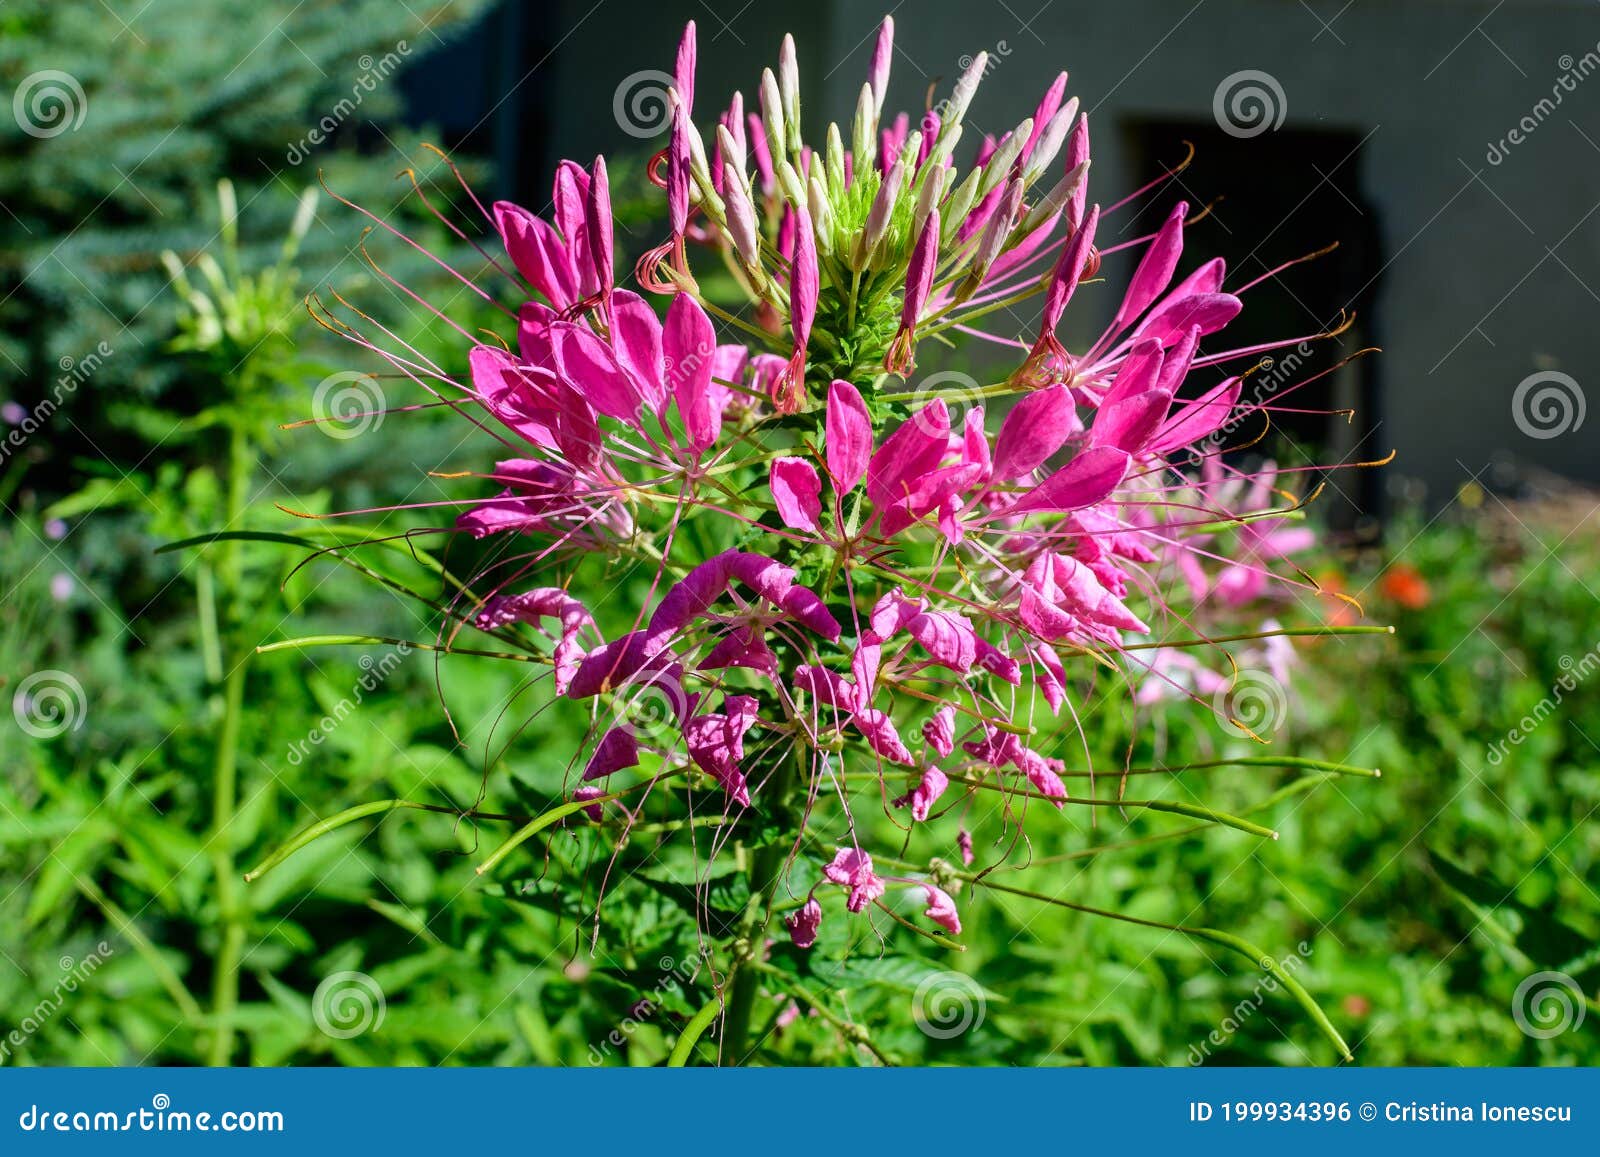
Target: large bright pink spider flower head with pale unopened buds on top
x=895 y=583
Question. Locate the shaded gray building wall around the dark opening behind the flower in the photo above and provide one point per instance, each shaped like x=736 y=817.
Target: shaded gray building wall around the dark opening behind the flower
x=1492 y=270
